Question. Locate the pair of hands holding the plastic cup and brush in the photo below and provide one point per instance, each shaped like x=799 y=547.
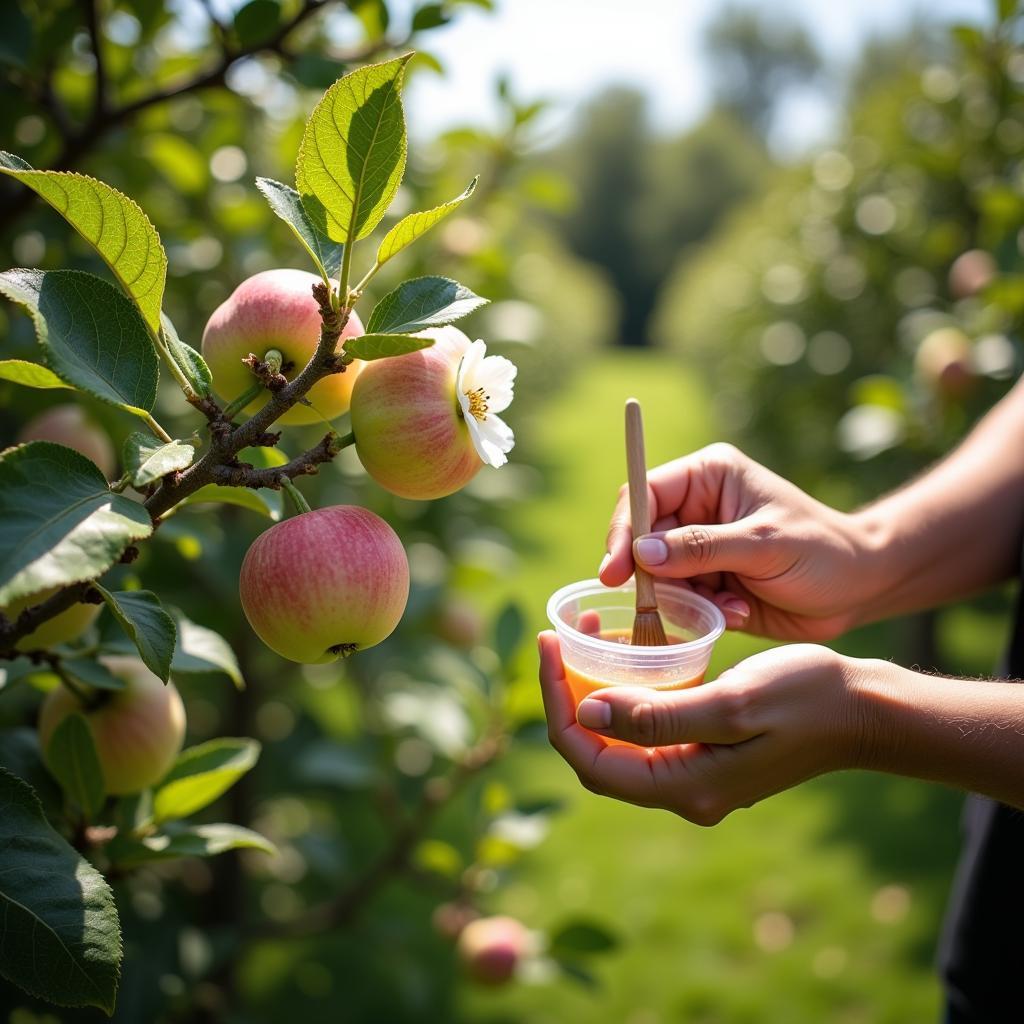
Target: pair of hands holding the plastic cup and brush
x=778 y=564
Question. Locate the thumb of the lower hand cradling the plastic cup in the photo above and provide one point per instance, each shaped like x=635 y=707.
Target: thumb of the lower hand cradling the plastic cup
x=714 y=713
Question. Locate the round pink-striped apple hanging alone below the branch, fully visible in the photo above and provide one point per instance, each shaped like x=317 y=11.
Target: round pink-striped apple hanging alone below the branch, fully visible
x=325 y=584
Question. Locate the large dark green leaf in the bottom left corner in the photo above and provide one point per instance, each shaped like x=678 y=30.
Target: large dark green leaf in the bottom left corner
x=60 y=935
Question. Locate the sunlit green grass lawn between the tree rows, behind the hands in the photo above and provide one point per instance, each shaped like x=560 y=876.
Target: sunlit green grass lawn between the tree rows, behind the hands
x=819 y=906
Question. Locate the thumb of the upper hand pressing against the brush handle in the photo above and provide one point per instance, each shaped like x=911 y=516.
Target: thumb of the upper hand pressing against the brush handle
x=692 y=551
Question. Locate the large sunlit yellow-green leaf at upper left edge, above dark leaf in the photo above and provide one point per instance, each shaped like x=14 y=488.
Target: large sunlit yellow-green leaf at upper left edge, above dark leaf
x=117 y=228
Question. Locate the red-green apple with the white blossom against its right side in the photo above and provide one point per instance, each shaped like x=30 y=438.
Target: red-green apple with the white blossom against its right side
x=411 y=435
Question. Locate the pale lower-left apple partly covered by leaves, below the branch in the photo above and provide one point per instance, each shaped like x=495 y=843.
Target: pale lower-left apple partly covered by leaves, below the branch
x=139 y=731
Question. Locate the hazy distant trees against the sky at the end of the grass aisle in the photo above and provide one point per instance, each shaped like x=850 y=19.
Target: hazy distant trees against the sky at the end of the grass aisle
x=645 y=201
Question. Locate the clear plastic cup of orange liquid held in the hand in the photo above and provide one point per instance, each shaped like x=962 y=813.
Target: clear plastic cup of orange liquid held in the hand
x=594 y=624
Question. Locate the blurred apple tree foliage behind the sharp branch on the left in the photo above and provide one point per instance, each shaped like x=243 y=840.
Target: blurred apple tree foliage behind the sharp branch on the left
x=373 y=783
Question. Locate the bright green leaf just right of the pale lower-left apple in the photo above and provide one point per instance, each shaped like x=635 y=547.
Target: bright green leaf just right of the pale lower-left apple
x=201 y=775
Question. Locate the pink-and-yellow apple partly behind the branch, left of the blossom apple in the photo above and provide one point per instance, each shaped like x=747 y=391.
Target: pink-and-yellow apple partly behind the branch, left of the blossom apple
x=276 y=310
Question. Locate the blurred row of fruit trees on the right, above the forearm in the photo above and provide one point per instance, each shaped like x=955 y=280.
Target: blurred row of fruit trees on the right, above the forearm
x=860 y=315
